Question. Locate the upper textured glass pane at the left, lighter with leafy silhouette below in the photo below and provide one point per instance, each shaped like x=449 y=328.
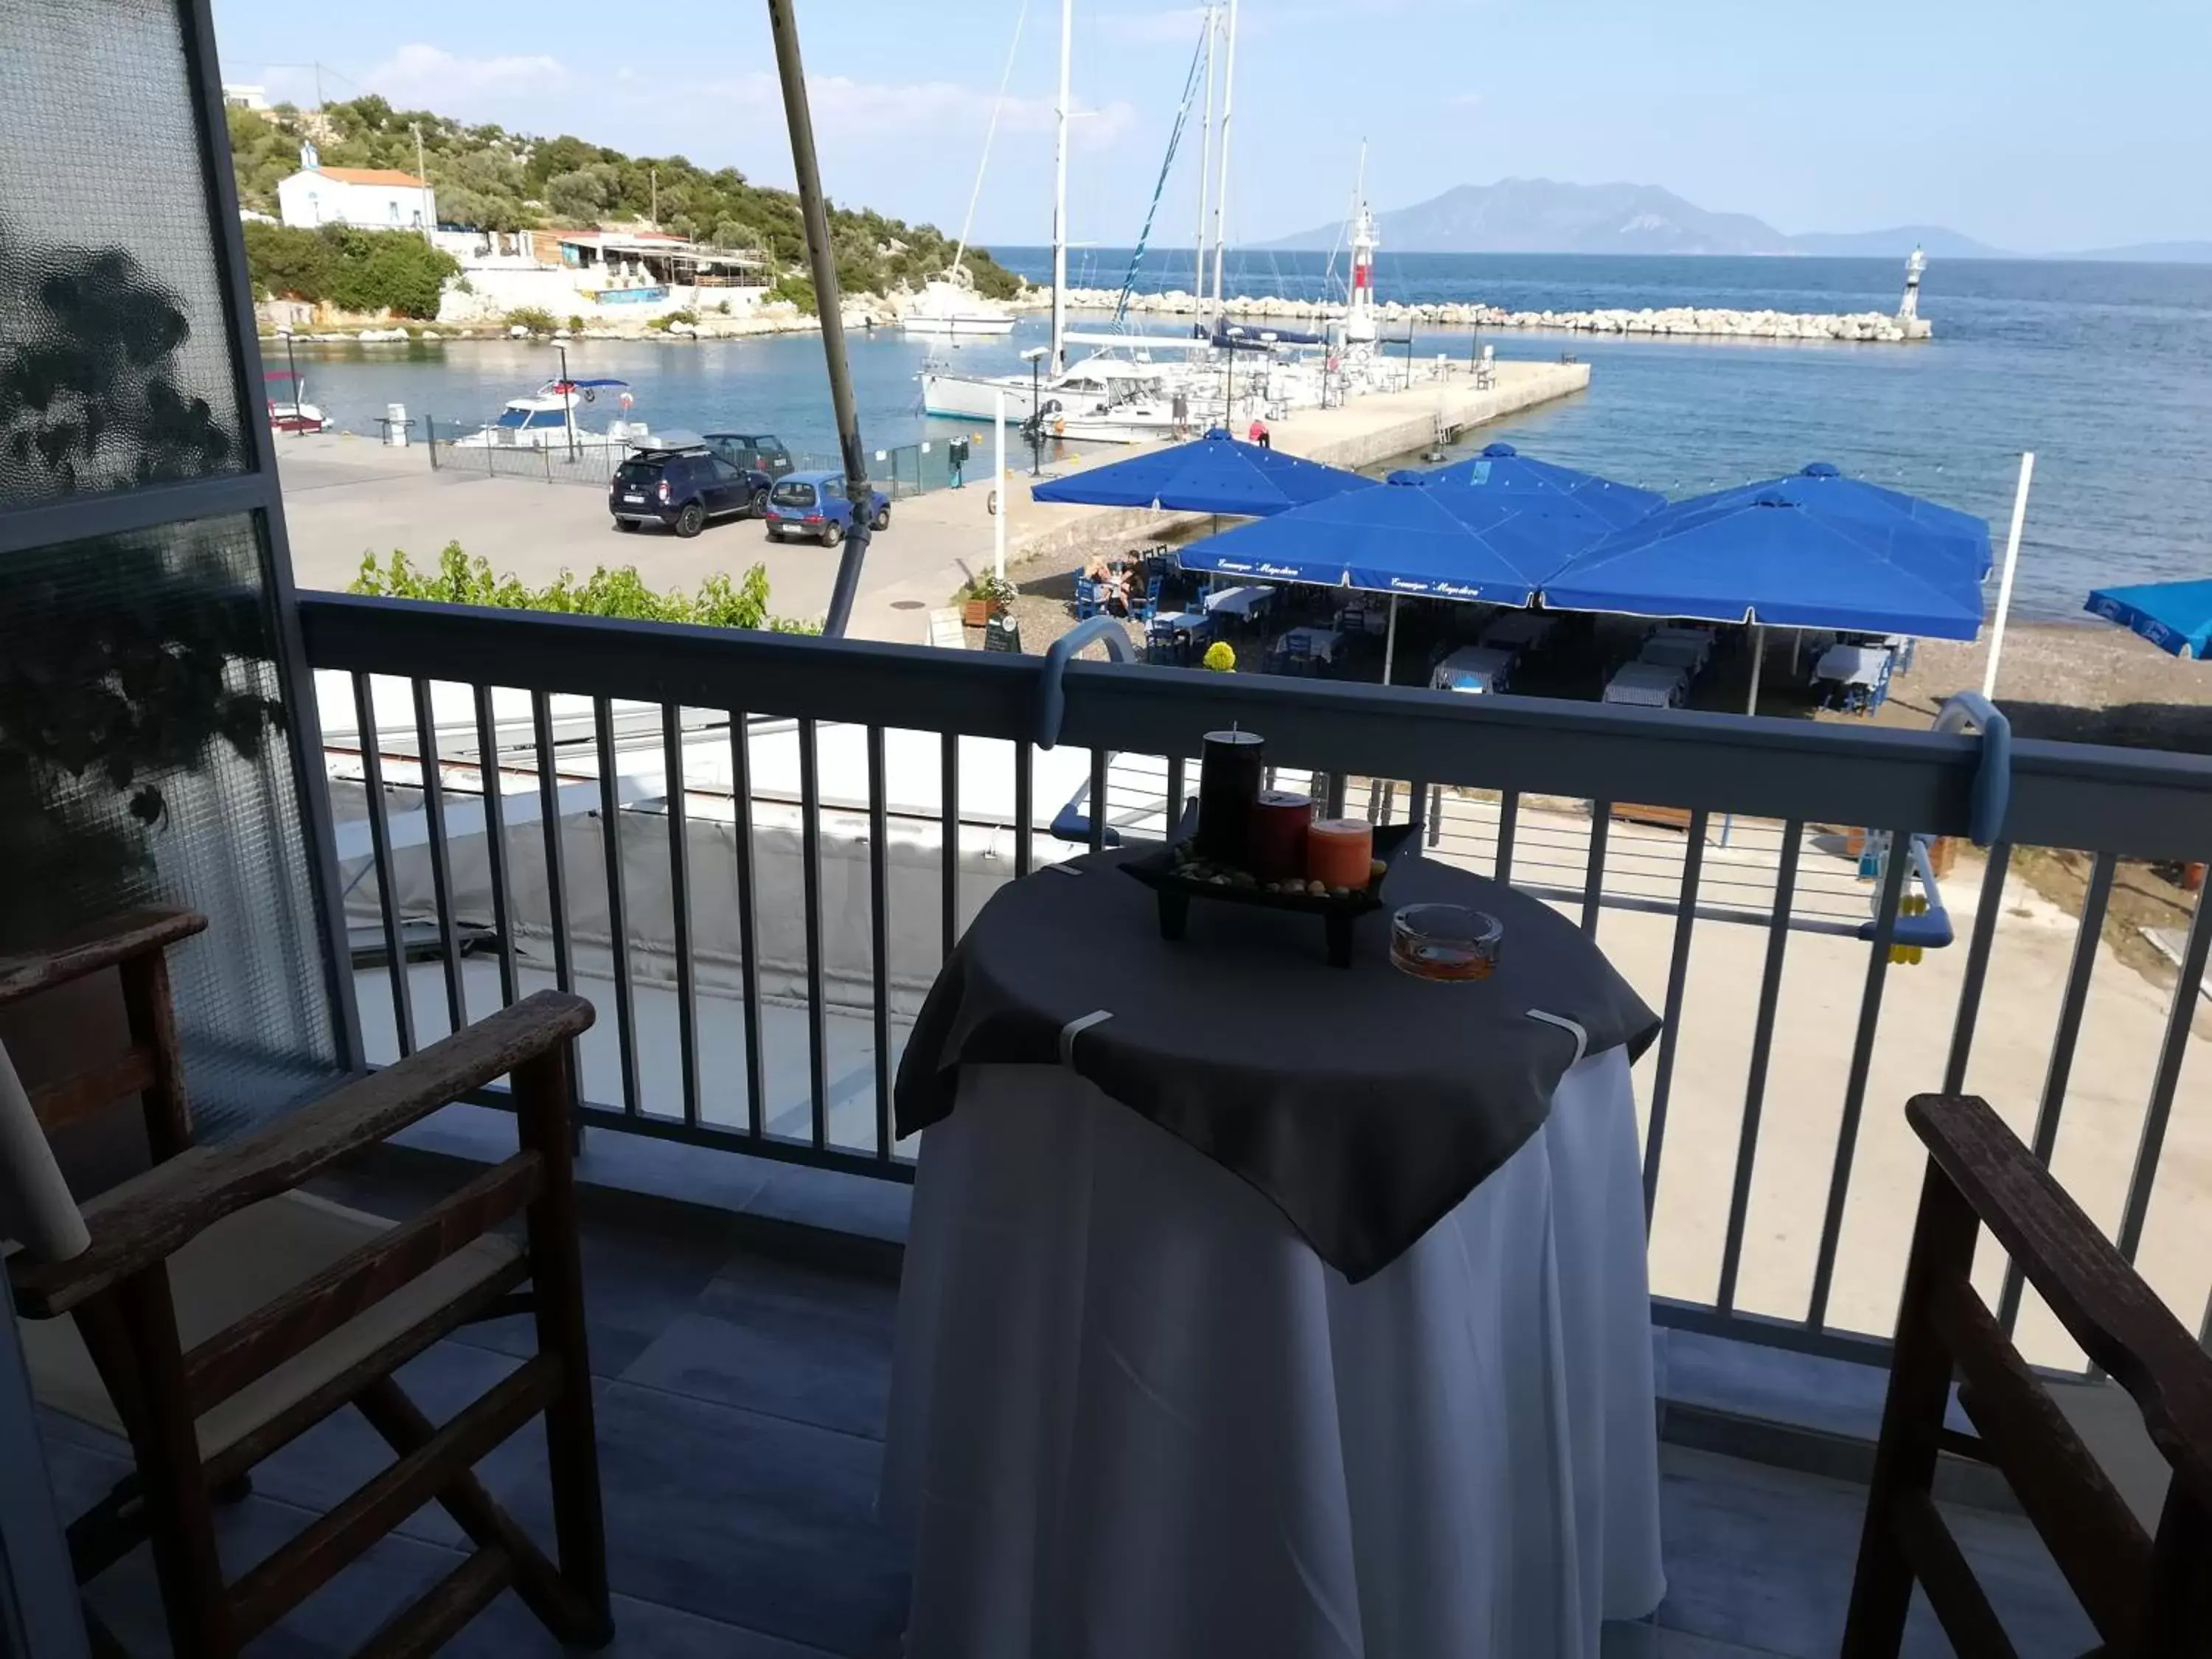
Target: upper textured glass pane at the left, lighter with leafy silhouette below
x=114 y=359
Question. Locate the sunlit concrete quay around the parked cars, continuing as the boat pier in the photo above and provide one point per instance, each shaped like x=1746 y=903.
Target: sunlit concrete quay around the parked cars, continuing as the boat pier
x=351 y=497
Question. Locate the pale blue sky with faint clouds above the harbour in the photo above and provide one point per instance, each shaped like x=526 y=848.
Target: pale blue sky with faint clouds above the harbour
x=2023 y=123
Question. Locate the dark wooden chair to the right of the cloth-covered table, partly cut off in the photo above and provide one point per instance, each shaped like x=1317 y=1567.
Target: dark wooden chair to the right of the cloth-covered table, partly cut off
x=2147 y=1594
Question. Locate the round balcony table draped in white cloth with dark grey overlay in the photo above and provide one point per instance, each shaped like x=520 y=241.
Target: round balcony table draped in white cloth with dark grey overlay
x=1142 y=1408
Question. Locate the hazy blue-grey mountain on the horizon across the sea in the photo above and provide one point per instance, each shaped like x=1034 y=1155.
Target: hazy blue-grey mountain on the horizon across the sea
x=1547 y=218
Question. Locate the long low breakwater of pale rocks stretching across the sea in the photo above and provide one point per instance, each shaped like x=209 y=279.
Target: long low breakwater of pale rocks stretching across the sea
x=1678 y=320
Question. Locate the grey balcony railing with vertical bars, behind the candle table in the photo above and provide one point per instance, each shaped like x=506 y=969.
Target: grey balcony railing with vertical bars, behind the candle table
x=755 y=851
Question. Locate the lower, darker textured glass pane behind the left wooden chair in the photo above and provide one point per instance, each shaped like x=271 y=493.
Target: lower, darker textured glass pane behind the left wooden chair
x=143 y=760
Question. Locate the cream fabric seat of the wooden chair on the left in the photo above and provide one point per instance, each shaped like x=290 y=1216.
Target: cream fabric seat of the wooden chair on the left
x=240 y=1264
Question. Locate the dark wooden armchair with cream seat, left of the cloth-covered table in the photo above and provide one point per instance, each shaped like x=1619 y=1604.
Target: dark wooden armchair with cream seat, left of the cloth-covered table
x=216 y=1313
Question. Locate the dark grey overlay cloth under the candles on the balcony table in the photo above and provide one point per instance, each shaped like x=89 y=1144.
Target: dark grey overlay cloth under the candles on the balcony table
x=1361 y=1103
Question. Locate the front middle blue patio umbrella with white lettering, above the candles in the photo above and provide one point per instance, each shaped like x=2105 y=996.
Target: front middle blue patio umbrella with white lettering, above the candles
x=1412 y=536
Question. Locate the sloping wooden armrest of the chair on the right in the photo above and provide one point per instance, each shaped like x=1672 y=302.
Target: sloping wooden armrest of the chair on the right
x=2103 y=1302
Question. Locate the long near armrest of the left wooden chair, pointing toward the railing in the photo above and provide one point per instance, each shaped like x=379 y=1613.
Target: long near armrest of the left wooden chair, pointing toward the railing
x=149 y=1218
